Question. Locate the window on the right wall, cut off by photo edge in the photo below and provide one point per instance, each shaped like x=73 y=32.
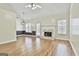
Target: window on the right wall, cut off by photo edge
x=75 y=26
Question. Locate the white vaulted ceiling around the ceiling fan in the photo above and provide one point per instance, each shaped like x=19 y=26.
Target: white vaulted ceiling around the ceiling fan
x=46 y=10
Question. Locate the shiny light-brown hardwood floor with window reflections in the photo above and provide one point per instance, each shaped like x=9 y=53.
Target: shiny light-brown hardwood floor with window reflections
x=31 y=46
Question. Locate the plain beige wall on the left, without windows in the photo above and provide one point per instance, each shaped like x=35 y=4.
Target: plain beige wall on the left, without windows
x=7 y=24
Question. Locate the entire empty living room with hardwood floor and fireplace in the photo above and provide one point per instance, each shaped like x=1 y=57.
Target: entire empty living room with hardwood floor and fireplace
x=39 y=29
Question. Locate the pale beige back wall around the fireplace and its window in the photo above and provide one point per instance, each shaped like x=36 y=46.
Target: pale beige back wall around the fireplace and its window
x=51 y=22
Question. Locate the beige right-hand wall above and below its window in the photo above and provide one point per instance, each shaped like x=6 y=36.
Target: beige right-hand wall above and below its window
x=74 y=38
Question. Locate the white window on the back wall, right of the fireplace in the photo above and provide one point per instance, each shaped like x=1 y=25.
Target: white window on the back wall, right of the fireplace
x=61 y=26
